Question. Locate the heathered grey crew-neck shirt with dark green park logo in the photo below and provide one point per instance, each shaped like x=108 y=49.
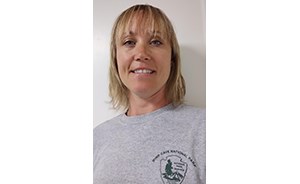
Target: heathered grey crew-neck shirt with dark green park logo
x=164 y=146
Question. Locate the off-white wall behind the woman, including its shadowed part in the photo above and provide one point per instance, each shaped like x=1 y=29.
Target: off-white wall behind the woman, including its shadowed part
x=188 y=18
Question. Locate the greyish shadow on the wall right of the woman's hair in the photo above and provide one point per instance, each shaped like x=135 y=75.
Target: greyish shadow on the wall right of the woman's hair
x=194 y=73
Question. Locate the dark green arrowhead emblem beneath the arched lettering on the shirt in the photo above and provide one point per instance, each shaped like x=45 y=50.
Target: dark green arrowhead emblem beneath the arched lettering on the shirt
x=172 y=169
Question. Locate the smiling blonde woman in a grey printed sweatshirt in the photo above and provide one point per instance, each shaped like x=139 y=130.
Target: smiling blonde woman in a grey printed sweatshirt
x=158 y=139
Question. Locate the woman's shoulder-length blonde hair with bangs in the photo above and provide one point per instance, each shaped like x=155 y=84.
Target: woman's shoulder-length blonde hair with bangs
x=154 y=17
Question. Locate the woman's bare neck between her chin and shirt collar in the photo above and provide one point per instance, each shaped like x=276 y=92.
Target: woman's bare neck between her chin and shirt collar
x=139 y=106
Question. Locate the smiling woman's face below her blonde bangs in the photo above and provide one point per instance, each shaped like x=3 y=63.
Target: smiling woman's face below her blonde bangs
x=144 y=61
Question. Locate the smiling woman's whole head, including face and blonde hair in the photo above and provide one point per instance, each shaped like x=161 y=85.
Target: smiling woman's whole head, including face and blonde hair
x=143 y=38
